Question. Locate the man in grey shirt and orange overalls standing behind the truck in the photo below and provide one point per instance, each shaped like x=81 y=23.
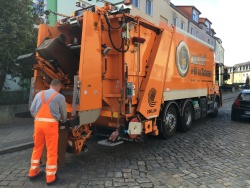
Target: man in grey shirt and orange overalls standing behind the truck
x=47 y=108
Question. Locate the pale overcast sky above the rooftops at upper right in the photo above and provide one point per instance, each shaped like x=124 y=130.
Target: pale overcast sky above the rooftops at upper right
x=231 y=22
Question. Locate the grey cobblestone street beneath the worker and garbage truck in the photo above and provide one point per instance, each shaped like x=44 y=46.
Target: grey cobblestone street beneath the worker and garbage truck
x=214 y=153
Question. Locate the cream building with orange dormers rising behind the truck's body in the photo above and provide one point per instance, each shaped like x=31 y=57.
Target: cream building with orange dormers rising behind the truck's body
x=188 y=19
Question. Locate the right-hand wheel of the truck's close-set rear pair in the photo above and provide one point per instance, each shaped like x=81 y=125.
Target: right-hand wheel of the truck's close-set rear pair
x=187 y=117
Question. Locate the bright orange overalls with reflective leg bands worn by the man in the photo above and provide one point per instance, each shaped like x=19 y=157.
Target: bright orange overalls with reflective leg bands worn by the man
x=45 y=130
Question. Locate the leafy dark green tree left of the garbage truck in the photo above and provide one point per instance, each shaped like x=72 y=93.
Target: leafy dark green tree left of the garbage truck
x=17 y=37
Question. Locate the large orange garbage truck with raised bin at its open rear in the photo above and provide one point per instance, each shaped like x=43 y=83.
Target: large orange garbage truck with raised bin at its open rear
x=124 y=74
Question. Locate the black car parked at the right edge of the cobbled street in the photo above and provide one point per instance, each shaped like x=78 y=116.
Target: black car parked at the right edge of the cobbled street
x=241 y=105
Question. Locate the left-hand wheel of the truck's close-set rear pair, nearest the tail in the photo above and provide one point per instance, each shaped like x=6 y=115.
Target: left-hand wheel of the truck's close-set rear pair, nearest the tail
x=169 y=121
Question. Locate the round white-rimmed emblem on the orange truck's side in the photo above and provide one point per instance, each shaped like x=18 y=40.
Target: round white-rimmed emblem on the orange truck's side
x=182 y=58
